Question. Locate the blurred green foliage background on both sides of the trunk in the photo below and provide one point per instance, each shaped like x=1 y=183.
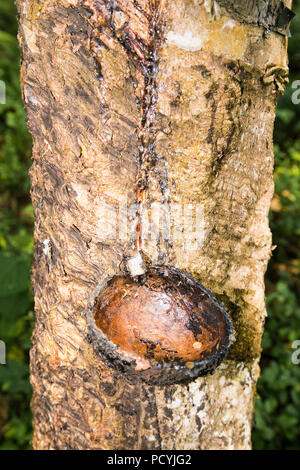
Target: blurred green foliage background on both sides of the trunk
x=277 y=410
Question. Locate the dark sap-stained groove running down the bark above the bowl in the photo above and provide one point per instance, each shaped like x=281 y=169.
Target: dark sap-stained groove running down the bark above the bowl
x=137 y=26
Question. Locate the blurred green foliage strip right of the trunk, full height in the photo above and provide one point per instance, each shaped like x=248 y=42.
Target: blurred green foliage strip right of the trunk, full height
x=277 y=411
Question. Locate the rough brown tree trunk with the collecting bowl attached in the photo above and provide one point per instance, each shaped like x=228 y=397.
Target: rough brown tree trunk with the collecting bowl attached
x=136 y=105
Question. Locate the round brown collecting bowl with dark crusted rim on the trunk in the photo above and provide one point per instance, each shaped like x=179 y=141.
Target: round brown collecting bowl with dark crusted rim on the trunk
x=163 y=327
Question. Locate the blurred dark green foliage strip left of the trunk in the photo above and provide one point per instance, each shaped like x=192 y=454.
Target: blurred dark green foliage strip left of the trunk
x=16 y=221
